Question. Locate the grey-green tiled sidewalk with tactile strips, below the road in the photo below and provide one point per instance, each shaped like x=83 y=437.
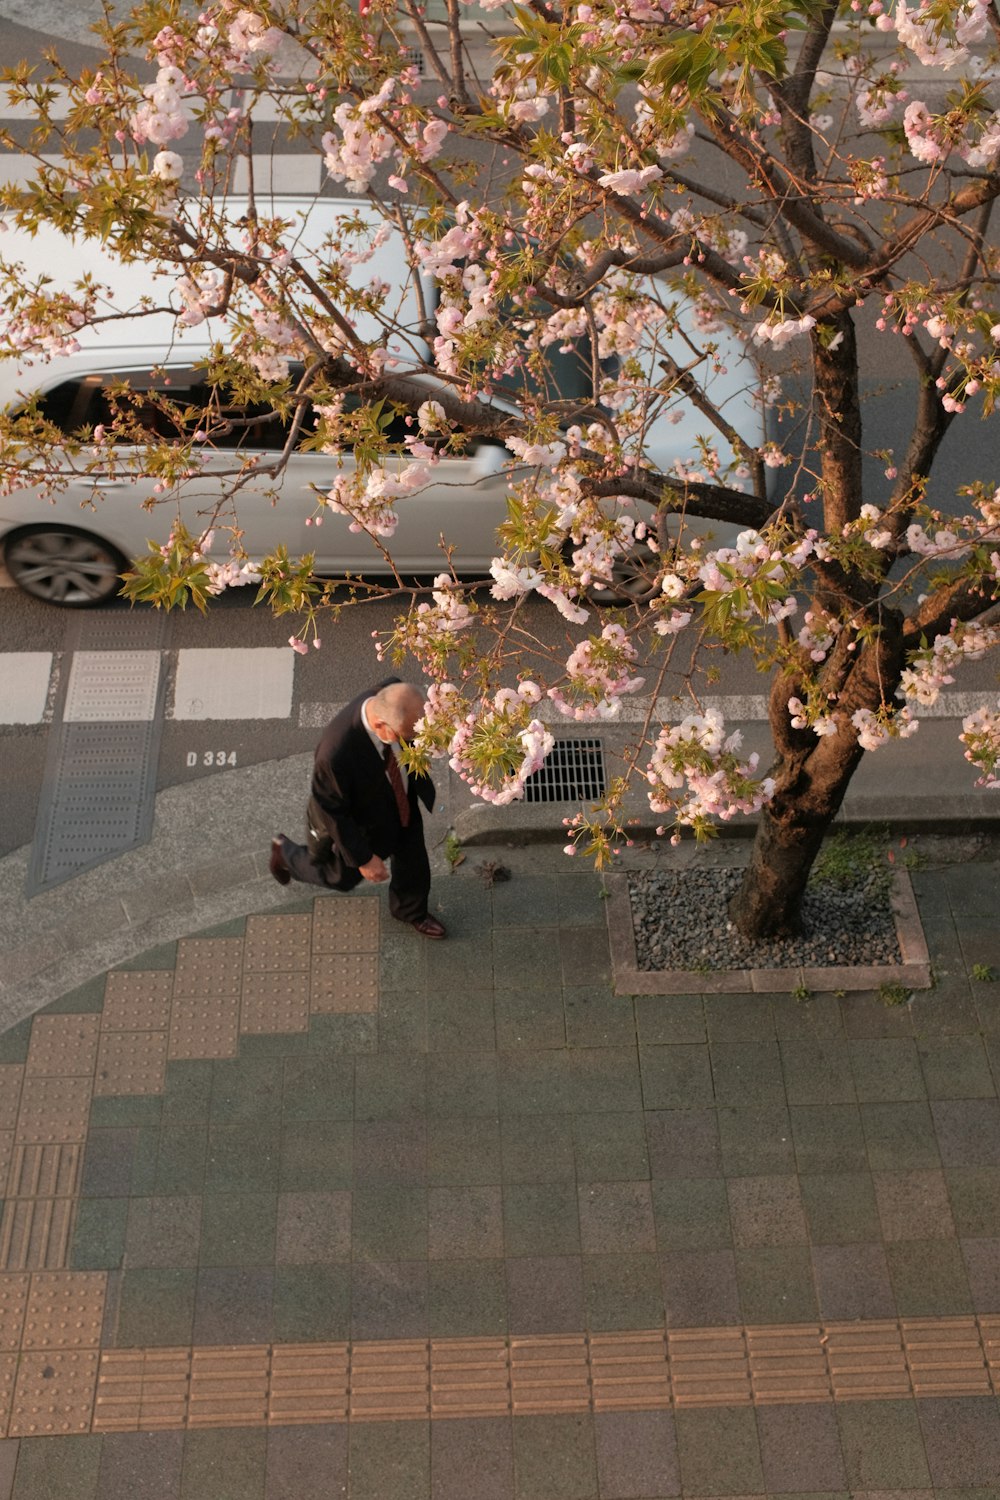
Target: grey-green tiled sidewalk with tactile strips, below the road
x=308 y=1207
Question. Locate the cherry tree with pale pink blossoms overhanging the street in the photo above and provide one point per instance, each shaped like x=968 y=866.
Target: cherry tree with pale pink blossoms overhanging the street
x=659 y=196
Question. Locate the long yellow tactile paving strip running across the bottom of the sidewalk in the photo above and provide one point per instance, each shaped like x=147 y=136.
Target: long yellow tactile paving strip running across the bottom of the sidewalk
x=55 y=1378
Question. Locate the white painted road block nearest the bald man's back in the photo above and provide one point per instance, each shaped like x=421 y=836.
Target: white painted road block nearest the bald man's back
x=235 y=683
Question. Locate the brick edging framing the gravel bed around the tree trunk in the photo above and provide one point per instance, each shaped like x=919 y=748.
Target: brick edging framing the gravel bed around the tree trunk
x=914 y=973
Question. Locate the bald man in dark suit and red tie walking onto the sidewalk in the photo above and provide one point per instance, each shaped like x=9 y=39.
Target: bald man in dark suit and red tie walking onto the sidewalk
x=364 y=809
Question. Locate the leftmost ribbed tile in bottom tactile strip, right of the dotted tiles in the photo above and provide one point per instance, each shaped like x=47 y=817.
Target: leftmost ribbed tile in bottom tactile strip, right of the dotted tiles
x=143 y=1391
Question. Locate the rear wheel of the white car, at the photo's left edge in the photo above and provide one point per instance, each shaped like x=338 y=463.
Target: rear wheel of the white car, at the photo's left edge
x=64 y=566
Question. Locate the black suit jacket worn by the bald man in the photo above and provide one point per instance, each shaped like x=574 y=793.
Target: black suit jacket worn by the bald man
x=352 y=791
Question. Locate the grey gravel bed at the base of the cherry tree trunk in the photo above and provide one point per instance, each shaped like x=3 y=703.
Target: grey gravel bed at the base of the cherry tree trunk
x=681 y=922
